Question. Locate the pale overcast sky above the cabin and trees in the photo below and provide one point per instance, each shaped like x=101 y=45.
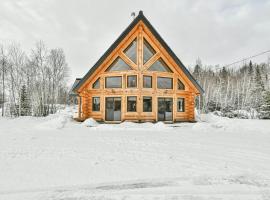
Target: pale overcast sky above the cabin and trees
x=217 y=31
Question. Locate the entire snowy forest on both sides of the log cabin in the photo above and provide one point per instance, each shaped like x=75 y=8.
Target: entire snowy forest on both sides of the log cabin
x=36 y=83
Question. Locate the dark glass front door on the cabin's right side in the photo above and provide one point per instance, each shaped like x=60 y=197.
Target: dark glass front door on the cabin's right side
x=165 y=107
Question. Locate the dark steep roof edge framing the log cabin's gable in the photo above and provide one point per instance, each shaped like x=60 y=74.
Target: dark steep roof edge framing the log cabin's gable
x=123 y=35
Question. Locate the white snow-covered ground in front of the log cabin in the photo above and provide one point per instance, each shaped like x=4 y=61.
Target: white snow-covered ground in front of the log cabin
x=57 y=158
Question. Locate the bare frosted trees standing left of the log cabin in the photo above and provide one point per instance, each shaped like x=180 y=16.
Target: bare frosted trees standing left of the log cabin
x=33 y=84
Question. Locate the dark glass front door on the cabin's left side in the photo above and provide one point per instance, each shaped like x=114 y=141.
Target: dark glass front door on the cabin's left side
x=113 y=109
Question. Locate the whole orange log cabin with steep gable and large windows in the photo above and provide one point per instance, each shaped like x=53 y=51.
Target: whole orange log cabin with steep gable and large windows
x=139 y=78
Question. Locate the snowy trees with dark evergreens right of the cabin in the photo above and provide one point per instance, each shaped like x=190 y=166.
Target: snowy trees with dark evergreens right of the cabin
x=242 y=92
